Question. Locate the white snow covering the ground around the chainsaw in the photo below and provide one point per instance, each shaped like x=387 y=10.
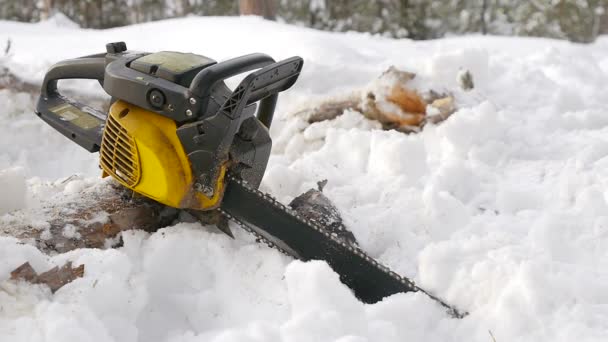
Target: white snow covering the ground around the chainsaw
x=502 y=210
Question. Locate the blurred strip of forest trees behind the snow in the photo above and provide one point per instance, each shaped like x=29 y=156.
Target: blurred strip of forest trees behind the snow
x=576 y=20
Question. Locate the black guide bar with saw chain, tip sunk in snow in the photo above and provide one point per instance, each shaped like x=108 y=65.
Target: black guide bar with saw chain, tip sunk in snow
x=283 y=229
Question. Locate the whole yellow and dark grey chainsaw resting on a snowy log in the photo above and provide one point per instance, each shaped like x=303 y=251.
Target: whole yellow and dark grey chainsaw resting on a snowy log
x=177 y=134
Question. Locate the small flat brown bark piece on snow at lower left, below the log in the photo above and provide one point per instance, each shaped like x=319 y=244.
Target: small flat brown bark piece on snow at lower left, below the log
x=54 y=278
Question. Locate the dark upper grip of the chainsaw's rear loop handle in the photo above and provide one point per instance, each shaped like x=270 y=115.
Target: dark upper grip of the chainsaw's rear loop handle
x=84 y=68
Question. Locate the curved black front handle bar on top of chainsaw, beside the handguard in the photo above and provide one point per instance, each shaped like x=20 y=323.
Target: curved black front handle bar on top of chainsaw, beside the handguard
x=206 y=79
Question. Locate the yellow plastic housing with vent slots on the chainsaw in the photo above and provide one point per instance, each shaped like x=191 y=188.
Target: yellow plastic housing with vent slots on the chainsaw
x=141 y=150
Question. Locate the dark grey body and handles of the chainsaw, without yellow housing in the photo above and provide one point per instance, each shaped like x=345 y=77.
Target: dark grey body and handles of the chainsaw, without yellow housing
x=216 y=126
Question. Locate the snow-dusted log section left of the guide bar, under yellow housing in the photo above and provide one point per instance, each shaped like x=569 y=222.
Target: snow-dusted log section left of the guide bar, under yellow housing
x=93 y=220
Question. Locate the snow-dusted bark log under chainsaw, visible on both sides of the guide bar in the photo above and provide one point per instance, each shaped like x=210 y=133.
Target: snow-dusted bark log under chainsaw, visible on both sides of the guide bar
x=95 y=217
